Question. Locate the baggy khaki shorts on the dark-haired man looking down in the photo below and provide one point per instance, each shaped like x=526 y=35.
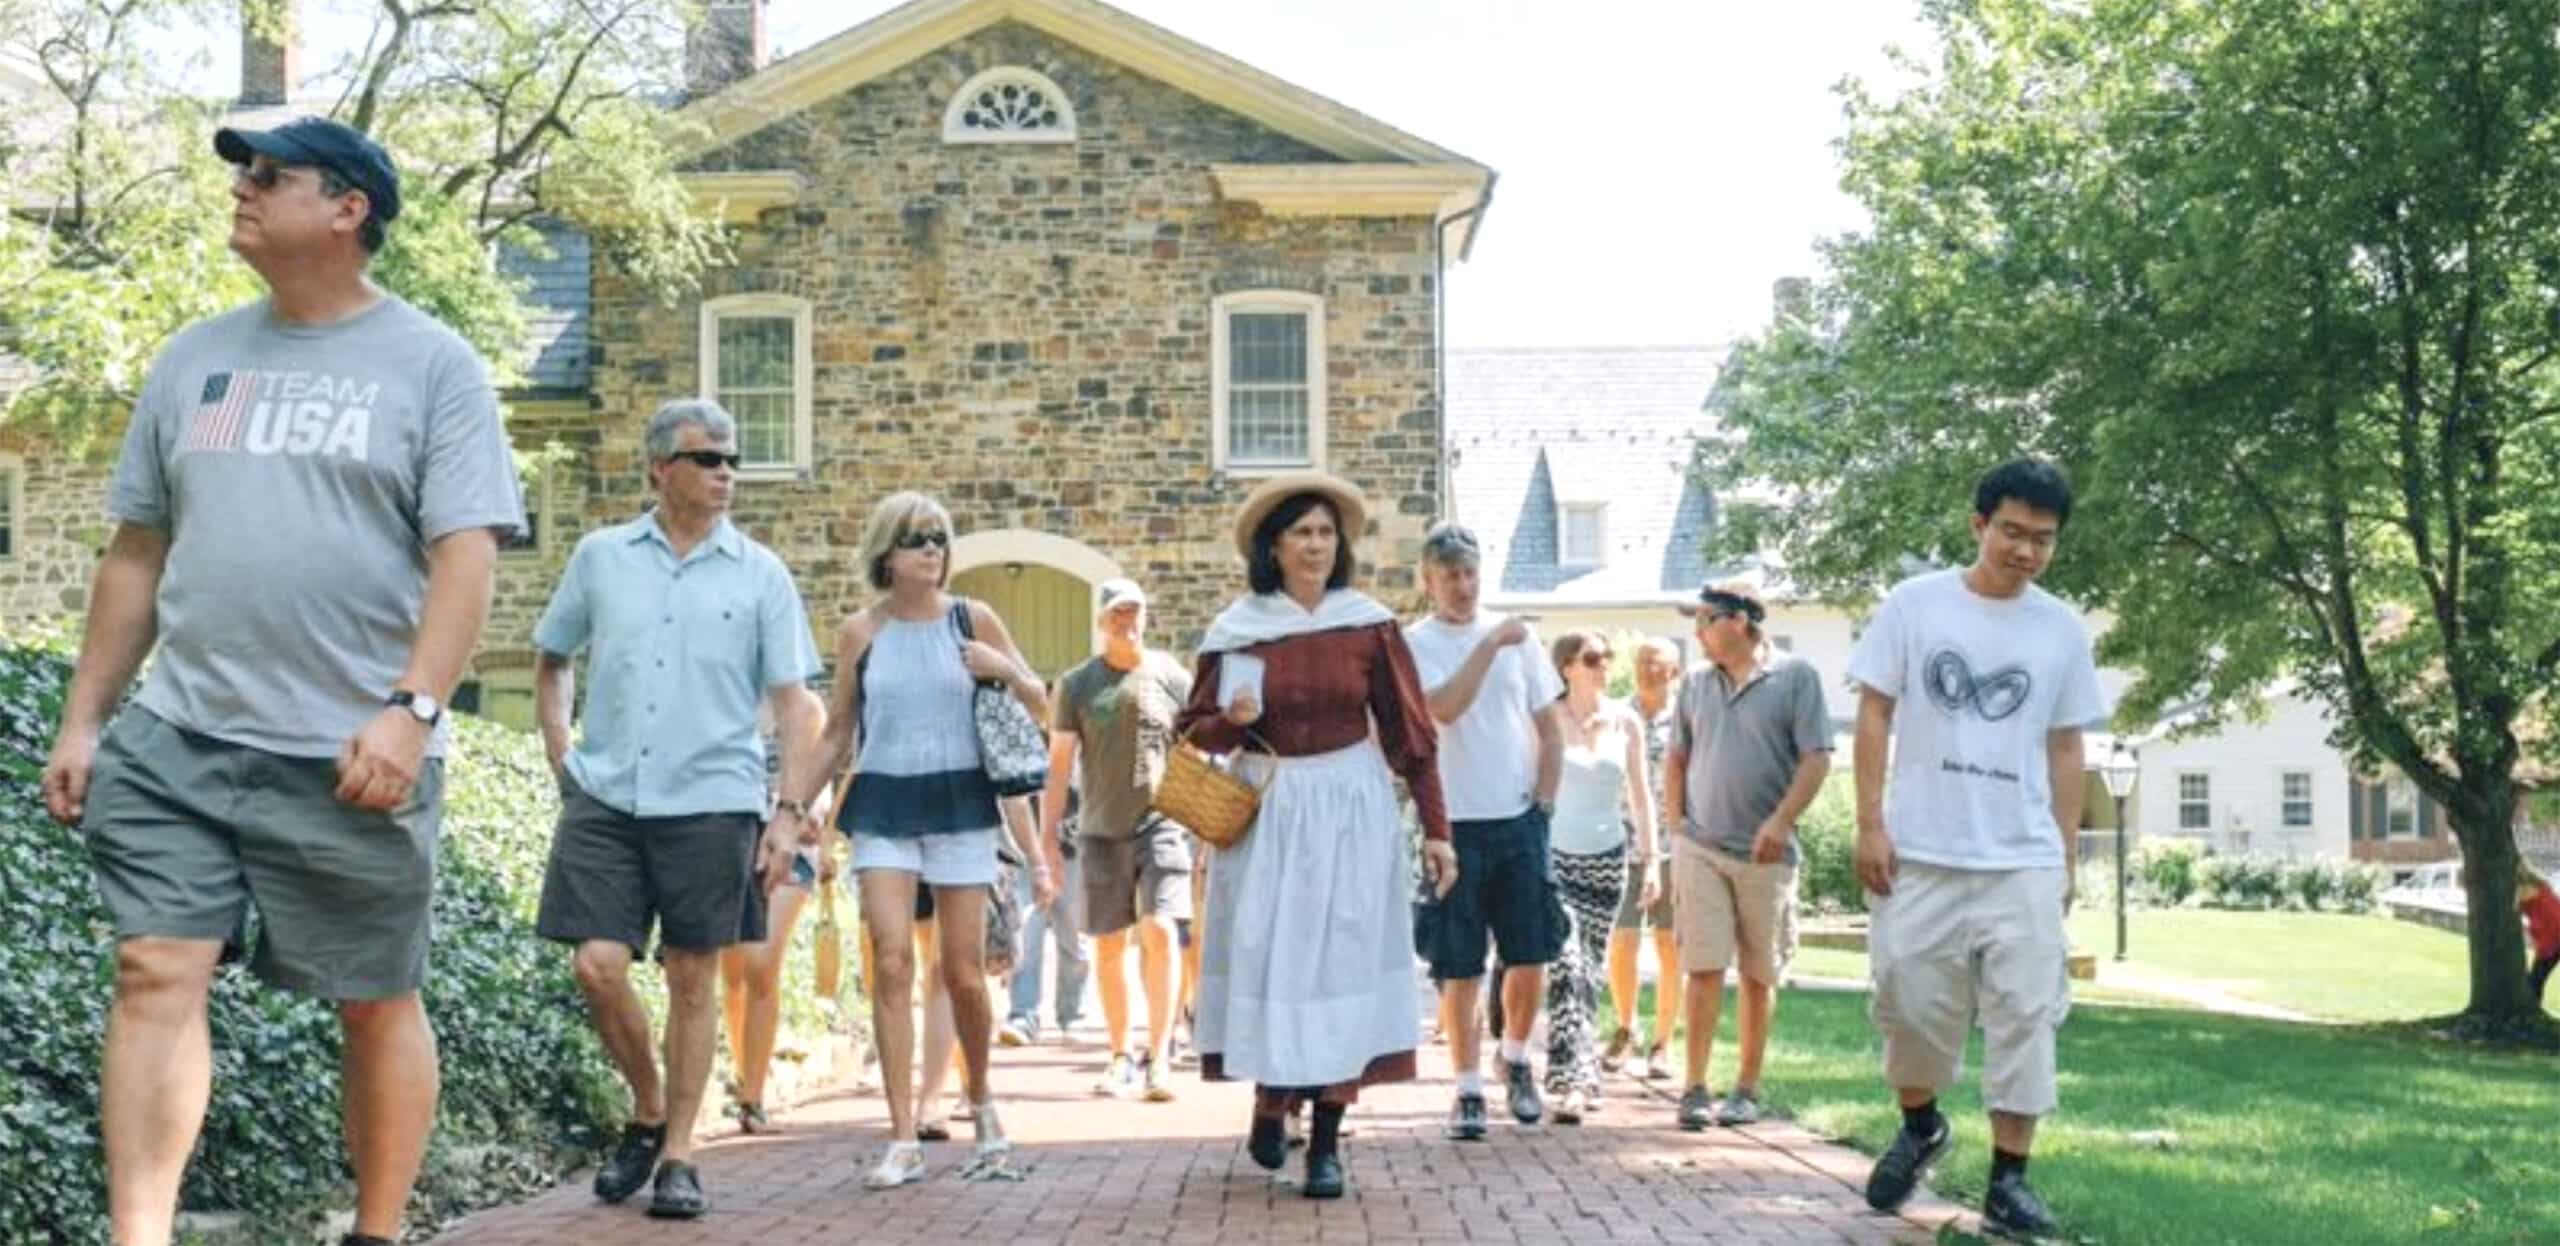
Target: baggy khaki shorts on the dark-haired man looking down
x=1952 y=948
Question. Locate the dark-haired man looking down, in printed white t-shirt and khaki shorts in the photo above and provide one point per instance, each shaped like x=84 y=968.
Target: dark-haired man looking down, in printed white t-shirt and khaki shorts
x=1983 y=687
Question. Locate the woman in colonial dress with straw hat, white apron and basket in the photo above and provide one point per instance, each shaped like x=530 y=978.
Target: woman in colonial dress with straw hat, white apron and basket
x=1307 y=966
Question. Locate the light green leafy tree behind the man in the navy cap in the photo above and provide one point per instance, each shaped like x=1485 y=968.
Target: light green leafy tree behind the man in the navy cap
x=498 y=111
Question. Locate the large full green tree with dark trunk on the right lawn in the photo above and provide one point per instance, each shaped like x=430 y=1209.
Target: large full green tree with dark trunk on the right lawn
x=2280 y=283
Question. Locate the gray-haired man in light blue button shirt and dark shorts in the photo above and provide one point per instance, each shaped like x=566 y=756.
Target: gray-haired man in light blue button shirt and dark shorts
x=664 y=810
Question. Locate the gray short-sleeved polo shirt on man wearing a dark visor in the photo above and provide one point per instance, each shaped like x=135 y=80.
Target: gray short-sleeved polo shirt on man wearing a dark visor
x=1745 y=746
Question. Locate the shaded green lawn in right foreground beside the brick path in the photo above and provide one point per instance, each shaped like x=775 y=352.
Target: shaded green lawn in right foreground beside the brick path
x=2282 y=1132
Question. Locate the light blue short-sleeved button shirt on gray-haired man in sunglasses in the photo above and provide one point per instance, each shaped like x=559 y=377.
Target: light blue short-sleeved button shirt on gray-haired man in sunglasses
x=680 y=656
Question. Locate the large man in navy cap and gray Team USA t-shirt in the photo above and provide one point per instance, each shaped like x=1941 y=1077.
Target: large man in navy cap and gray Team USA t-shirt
x=288 y=748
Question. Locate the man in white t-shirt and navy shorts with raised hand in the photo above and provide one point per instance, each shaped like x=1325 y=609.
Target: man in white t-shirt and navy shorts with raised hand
x=1501 y=753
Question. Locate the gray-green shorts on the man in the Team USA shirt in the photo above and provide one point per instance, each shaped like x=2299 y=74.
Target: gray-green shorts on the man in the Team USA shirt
x=188 y=833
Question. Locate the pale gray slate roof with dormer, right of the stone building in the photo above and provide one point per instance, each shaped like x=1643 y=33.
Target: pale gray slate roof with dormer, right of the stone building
x=1540 y=426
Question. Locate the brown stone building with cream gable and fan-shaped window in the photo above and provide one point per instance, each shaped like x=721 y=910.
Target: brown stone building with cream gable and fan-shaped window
x=1069 y=272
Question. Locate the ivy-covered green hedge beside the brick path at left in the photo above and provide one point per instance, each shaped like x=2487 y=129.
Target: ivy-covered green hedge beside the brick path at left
x=526 y=1086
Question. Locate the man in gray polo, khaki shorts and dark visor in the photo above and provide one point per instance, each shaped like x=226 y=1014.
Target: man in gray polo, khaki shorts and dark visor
x=1750 y=751
